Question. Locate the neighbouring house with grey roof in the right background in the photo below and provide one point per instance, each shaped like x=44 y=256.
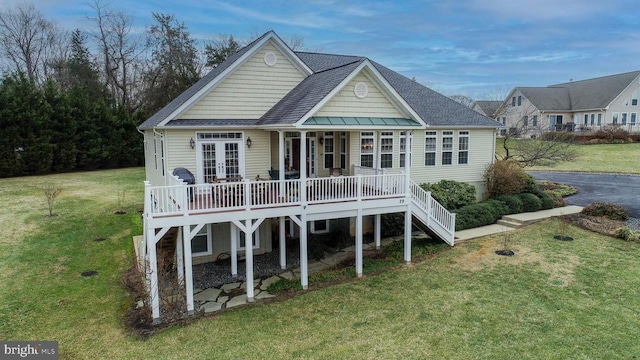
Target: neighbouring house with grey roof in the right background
x=586 y=105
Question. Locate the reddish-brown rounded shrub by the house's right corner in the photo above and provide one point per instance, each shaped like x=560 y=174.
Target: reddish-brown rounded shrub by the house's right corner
x=505 y=177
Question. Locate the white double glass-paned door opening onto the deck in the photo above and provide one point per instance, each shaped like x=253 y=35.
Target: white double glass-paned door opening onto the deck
x=219 y=159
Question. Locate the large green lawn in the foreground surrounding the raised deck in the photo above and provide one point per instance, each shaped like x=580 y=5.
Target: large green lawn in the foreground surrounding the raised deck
x=554 y=299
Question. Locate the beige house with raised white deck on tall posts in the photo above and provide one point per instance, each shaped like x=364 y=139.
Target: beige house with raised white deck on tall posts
x=286 y=142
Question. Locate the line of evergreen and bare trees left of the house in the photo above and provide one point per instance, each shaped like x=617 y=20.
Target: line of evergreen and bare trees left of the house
x=72 y=100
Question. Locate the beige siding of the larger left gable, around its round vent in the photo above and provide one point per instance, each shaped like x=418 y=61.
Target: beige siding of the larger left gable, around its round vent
x=250 y=91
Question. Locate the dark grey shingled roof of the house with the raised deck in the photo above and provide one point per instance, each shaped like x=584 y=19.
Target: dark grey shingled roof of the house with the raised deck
x=329 y=71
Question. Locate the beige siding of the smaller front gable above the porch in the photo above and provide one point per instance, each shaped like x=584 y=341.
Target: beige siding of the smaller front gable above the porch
x=346 y=103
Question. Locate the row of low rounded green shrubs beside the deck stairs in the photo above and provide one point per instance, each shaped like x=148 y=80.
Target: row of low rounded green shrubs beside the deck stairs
x=490 y=211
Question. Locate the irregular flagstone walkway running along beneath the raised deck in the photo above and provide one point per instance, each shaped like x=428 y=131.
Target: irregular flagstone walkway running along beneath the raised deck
x=234 y=294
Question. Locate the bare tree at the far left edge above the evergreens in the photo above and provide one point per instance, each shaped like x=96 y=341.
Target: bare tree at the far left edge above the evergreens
x=27 y=39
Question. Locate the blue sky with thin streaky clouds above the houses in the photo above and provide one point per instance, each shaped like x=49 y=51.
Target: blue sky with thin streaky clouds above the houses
x=476 y=48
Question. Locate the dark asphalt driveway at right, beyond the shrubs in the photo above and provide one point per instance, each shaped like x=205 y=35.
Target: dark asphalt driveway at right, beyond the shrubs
x=618 y=189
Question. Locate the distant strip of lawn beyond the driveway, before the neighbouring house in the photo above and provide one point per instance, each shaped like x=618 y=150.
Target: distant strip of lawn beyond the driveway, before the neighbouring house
x=604 y=158
